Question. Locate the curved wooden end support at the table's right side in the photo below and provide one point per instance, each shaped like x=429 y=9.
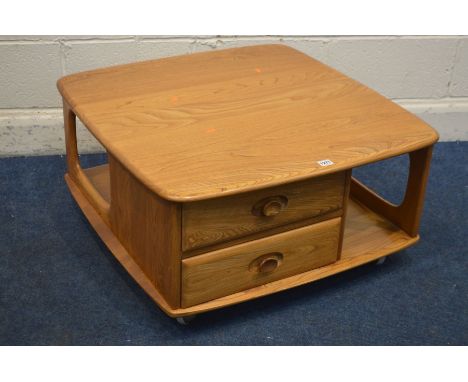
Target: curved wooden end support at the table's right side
x=408 y=214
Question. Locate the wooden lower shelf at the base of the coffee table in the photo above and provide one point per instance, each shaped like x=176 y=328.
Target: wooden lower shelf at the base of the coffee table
x=367 y=237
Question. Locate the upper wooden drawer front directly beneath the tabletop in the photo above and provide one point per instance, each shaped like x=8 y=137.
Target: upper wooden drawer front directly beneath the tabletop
x=217 y=220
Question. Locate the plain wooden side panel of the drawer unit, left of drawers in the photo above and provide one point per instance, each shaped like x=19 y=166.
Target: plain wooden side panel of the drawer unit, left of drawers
x=149 y=228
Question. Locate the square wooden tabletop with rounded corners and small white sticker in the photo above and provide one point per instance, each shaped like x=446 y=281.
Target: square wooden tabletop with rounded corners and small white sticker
x=216 y=123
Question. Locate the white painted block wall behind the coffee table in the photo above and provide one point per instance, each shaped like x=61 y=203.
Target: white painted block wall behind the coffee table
x=427 y=75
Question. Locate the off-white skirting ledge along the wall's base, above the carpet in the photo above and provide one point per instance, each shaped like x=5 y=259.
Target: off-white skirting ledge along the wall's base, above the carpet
x=40 y=131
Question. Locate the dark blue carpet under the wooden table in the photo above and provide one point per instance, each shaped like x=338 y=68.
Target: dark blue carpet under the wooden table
x=59 y=285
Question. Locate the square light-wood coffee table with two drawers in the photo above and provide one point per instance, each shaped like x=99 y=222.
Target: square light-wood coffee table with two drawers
x=229 y=172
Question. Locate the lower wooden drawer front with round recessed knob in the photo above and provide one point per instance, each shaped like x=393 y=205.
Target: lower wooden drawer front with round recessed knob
x=243 y=266
